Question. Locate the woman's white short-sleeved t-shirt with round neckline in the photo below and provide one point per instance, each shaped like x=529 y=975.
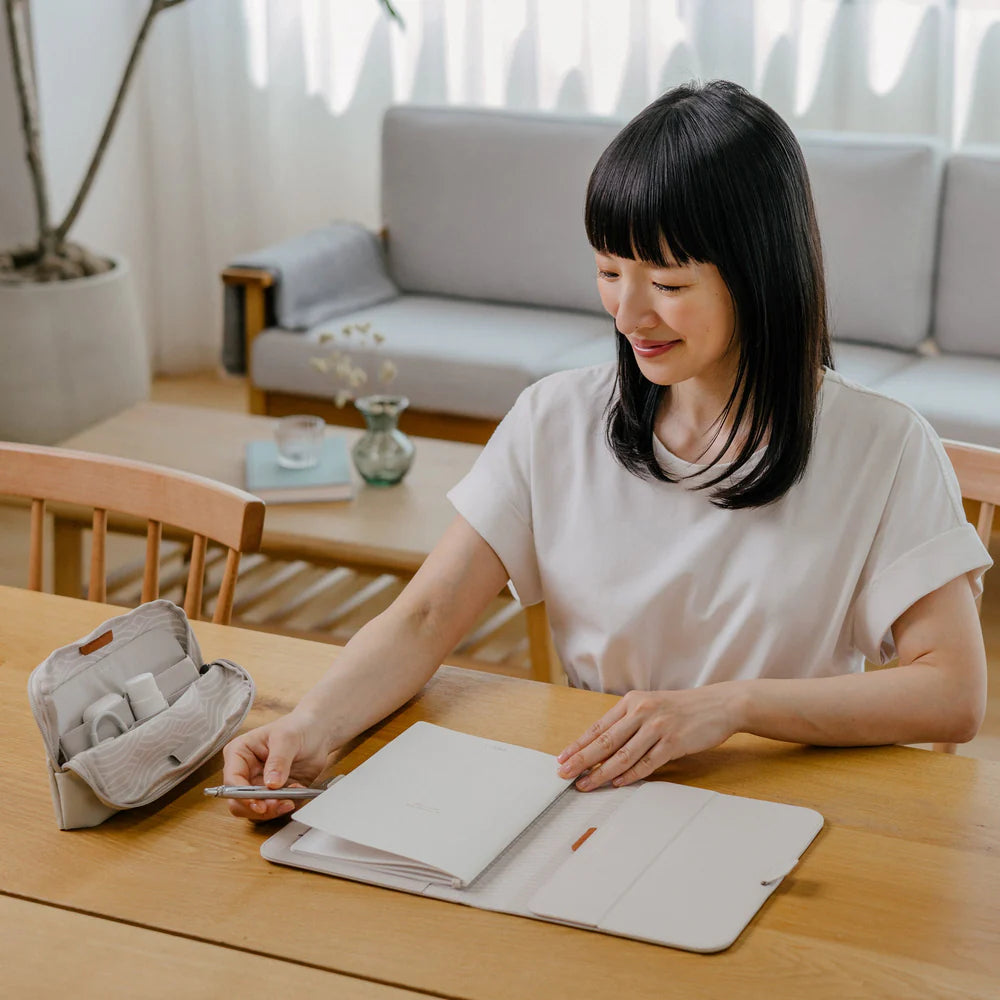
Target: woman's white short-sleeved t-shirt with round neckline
x=649 y=586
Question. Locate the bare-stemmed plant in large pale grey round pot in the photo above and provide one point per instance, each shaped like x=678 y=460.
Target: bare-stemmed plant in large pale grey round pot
x=72 y=346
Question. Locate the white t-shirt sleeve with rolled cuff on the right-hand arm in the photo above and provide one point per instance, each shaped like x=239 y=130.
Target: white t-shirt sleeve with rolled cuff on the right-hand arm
x=923 y=541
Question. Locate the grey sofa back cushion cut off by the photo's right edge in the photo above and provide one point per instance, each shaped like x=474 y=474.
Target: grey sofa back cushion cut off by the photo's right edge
x=967 y=314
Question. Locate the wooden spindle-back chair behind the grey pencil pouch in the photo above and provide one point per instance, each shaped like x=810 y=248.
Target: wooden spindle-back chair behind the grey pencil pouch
x=207 y=509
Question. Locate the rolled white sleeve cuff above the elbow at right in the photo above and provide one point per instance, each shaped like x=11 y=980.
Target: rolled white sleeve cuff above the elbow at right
x=914 y=575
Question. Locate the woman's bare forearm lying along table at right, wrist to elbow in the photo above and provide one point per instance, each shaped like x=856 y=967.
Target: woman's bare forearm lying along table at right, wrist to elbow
x=914 y=703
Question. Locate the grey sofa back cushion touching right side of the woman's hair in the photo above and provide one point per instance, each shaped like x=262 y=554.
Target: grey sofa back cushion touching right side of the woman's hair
x=877 y=205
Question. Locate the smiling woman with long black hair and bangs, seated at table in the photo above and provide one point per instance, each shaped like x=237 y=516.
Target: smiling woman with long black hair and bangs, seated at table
x=722 y=528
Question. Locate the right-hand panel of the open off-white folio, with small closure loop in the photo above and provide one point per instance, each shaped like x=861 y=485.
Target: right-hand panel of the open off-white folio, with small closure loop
x=680 y=866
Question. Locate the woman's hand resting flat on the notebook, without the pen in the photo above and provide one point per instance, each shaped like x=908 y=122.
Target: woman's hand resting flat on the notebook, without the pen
x=645 y=730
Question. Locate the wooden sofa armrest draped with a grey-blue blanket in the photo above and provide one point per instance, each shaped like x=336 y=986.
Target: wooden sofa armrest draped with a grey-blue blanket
x=310 y=278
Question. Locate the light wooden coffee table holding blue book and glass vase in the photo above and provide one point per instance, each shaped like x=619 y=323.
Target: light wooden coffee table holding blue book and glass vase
x=384 y=530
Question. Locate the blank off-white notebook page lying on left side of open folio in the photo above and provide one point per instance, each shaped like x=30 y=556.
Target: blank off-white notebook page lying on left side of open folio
x=445 y=799
